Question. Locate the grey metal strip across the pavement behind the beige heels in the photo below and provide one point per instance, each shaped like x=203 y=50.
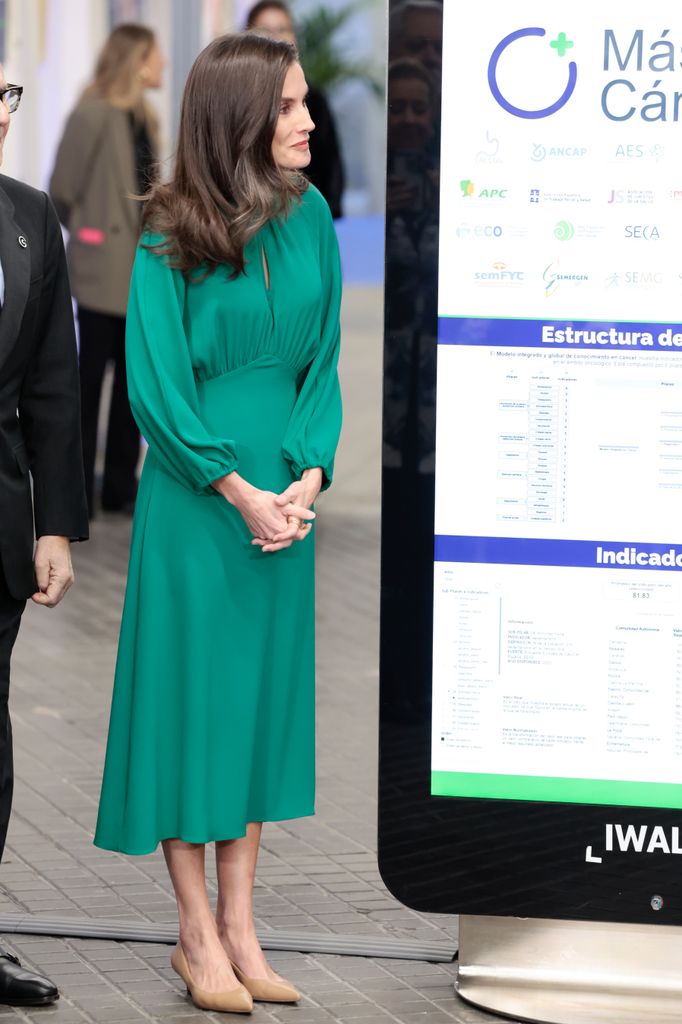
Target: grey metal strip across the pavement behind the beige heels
x=308 y=943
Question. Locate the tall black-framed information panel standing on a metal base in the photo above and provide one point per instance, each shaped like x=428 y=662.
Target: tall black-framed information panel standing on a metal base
x=532 y=565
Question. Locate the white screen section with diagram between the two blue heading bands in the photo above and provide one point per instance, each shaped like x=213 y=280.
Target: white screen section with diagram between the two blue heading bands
x=561 y=444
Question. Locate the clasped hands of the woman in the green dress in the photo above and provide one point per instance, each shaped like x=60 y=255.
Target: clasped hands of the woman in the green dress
x=275 y=521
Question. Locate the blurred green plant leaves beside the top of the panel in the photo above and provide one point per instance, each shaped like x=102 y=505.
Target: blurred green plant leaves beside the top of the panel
x=326 y=65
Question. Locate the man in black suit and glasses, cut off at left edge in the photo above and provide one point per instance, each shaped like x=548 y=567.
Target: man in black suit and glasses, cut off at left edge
x=39 y=441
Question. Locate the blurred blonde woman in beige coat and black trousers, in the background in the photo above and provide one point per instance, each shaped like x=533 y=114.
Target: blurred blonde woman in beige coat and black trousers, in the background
x=108 y=155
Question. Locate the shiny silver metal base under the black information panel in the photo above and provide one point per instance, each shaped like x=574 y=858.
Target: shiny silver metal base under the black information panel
x=567 y=972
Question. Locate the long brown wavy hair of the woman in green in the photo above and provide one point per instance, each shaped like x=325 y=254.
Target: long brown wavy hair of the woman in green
x=226 y=185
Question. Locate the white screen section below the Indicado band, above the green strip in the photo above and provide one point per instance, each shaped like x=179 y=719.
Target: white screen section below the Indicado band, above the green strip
x=517 y=682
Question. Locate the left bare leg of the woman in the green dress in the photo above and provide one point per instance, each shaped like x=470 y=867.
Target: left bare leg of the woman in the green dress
x=206 y=957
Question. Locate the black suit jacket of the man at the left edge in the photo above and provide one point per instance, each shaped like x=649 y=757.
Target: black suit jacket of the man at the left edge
x=40 y=432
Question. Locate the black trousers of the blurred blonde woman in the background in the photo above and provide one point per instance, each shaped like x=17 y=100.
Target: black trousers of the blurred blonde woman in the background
x=103 y=340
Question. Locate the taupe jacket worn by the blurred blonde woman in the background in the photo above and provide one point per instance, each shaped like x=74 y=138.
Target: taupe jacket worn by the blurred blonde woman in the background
x=94 y=178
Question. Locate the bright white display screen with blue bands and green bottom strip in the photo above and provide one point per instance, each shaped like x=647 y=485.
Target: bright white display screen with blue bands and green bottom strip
x=558 y=617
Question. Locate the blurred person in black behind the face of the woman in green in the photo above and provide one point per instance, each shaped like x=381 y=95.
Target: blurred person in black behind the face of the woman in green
x=326 y=169
